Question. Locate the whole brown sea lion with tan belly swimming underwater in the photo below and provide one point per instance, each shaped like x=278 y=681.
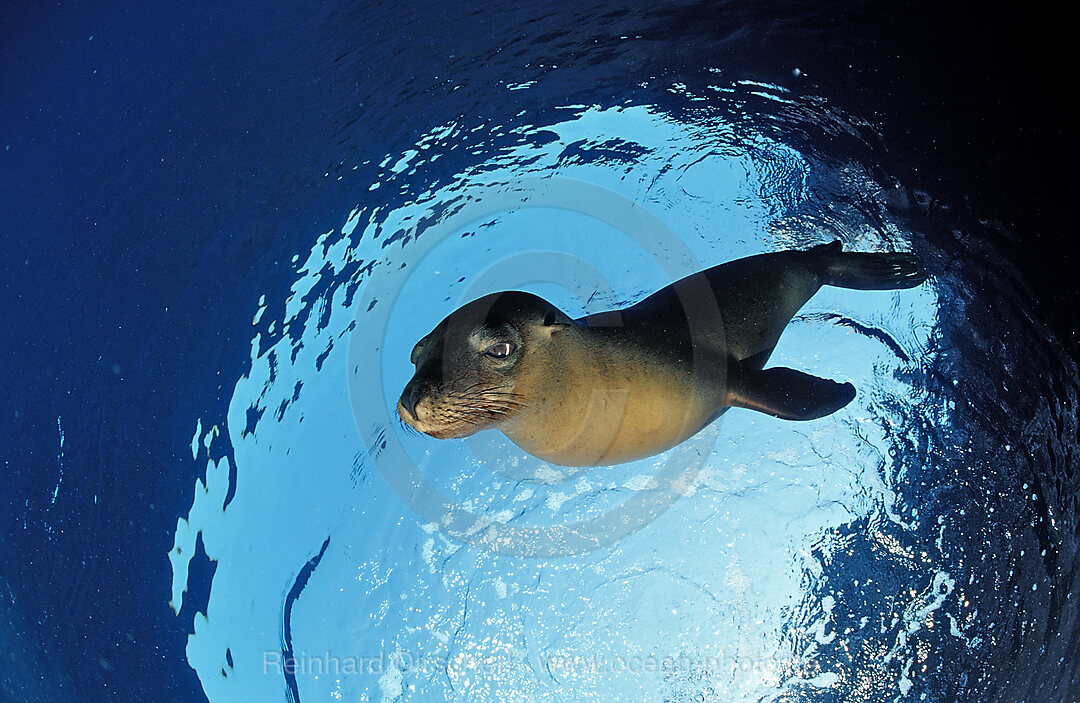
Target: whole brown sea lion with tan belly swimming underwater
x=629 y=384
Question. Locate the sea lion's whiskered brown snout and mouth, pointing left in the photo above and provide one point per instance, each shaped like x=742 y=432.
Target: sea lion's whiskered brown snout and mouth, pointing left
x=458 y=414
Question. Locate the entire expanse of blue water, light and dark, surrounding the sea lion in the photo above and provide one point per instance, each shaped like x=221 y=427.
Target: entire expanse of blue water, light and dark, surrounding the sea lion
x=224 y=233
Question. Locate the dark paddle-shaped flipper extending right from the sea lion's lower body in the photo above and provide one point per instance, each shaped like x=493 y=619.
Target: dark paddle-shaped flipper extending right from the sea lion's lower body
x=787 y=394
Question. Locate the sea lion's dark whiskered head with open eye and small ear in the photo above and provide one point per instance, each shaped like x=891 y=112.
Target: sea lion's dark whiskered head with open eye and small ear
x=475 y=371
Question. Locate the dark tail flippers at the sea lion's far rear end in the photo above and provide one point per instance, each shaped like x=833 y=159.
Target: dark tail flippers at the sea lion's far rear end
x=869 y=272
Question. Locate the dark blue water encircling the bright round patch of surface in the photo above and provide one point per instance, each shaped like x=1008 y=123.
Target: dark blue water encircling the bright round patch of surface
x=161 y=169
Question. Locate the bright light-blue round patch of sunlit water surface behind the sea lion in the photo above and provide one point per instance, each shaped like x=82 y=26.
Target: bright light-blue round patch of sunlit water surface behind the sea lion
x=715 y=600
